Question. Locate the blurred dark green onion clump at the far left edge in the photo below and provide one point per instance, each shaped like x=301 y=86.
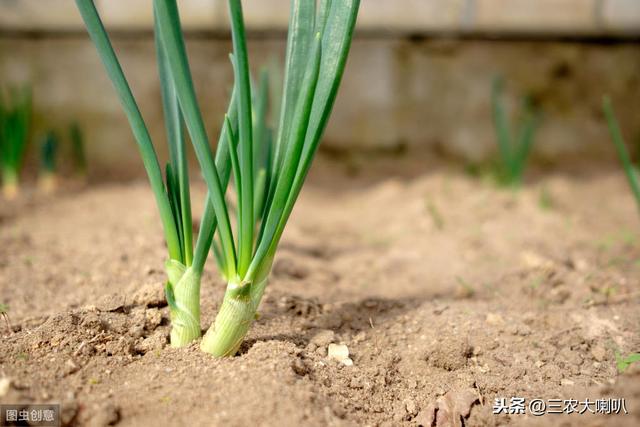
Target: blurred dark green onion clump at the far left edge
x=15 y=118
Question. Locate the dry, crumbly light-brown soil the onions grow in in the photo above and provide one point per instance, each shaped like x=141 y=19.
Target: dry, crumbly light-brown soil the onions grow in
x=447 y=291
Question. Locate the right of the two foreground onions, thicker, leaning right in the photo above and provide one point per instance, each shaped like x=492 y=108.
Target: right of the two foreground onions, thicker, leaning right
x=268 y=178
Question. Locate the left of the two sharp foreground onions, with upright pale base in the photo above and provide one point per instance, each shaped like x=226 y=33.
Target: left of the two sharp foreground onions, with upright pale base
x=185 y=266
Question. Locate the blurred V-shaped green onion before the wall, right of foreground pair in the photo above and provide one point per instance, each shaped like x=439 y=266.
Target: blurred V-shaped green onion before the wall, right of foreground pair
x=513 y=147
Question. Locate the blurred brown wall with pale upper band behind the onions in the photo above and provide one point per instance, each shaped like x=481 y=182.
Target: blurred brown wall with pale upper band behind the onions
x=418 y=78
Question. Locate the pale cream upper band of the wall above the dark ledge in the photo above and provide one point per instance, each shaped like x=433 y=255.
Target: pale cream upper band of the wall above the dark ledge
x=584 y=17
